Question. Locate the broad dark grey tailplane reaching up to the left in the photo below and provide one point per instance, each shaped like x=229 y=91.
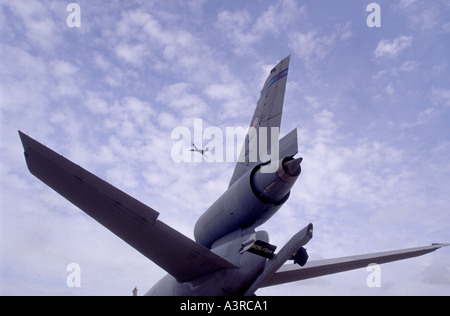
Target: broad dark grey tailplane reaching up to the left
x=131 y=220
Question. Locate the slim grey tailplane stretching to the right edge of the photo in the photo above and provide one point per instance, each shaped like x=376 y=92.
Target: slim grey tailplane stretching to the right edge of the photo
x=292 y=272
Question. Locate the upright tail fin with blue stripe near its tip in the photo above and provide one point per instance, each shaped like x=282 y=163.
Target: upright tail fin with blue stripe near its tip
x=267 y=115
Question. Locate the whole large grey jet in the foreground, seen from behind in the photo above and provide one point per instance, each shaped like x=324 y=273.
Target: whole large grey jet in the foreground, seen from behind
x=229 y=255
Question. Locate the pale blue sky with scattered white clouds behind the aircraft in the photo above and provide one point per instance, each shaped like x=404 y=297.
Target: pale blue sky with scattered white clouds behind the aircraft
x=372 y=107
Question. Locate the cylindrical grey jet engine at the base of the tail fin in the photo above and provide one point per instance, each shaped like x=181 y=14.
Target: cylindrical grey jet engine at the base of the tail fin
x=249 y=202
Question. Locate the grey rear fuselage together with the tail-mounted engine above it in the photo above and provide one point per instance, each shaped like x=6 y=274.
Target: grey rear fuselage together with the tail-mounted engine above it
x=229 y=223
